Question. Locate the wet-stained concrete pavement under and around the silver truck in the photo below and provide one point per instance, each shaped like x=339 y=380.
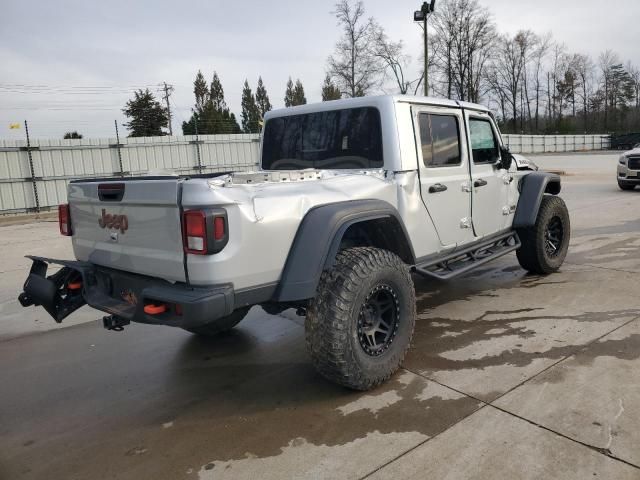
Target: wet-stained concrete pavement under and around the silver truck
x=509 y=376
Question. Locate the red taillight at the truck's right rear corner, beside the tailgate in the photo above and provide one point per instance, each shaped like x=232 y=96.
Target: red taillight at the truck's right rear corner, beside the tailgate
x=204 y=231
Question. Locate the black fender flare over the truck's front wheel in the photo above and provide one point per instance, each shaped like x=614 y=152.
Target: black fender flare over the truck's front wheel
x=532 y=188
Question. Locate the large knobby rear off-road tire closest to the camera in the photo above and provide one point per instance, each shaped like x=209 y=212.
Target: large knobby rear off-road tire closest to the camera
x=334 y=317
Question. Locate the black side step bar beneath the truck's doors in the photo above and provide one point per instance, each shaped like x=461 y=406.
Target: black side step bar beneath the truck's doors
x=462 y=261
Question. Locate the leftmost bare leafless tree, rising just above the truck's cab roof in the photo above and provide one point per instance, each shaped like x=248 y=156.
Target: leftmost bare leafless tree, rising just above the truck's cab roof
x=354 y=65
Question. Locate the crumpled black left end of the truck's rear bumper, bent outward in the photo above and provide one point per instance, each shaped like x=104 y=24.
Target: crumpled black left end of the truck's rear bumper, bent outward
x=53 y=293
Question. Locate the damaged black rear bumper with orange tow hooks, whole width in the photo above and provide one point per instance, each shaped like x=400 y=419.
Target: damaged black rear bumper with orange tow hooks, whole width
x=123 y=295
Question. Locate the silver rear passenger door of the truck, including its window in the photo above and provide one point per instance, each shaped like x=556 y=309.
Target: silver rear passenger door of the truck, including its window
x=444 y=172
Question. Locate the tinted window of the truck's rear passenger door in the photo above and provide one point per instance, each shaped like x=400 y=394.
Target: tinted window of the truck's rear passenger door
x=440 y=138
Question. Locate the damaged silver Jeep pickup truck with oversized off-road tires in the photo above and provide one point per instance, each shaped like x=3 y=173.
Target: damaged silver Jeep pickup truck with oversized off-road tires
x=352 y=198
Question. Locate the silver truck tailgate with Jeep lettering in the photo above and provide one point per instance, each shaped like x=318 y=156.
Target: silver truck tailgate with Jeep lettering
x=131 y=225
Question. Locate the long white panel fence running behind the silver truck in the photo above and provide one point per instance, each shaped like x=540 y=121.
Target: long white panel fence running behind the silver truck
x=35 y=178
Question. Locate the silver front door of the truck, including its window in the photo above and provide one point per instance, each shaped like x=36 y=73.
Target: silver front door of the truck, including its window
x=490 y=197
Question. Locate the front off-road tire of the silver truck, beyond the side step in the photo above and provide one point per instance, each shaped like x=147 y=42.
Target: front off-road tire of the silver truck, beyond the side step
x=534 y=255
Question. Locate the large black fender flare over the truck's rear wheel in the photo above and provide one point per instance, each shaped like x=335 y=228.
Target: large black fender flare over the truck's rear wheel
x=318 y=239
